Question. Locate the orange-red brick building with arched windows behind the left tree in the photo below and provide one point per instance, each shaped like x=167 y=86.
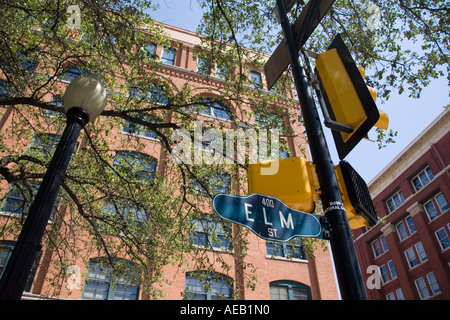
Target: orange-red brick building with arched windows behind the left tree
x=277 y=276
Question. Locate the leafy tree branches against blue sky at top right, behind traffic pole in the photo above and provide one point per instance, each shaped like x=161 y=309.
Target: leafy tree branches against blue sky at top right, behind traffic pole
x=402 y=45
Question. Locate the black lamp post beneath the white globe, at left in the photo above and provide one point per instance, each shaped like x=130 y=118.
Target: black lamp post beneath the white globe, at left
x=15 y=274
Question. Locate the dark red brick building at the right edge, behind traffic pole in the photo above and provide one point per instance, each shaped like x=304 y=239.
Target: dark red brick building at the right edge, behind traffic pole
x=411 y=243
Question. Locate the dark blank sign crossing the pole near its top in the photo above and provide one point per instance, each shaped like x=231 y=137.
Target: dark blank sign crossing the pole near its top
x=310 y=17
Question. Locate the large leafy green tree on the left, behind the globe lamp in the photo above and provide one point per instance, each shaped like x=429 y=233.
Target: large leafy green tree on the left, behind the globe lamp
x=114 y=204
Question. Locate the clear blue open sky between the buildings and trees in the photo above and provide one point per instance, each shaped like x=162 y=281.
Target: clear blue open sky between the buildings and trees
x=408 y=116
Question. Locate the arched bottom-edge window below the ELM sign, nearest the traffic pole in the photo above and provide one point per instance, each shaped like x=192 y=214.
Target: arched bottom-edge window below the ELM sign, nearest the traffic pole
x=289 y=290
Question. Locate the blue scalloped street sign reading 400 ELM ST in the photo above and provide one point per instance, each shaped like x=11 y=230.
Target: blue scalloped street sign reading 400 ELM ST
x=268 y=217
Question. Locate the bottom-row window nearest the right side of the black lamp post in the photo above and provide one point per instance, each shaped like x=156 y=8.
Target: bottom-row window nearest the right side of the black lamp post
x=100 y=284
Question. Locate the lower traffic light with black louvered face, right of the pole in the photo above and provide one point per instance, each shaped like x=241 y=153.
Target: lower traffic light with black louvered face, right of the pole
x=356 y=197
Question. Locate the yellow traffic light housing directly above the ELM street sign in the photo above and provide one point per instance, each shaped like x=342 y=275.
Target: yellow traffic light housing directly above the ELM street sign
x=294 y=183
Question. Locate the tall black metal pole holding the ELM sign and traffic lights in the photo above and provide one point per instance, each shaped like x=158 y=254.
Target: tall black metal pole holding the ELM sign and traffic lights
x=346 y=262
